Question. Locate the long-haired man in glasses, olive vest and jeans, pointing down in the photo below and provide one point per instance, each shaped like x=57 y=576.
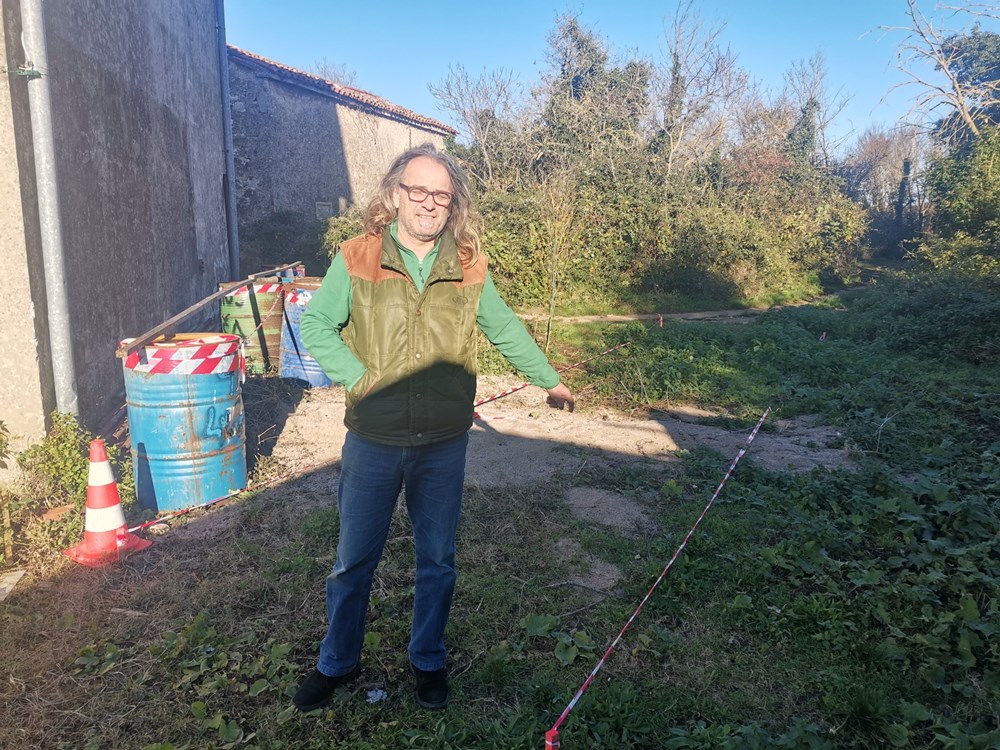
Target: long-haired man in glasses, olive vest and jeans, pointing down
x=395 y=322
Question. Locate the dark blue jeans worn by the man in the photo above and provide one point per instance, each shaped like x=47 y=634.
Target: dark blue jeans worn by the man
x=370 y=480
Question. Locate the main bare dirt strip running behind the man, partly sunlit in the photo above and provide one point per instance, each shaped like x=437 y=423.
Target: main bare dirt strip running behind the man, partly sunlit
x=518 y=440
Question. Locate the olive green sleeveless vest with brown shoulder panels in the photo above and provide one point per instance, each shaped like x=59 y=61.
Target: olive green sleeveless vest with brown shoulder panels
x=419 y=349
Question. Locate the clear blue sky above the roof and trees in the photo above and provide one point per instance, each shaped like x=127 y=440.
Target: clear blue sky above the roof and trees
x=396 y=49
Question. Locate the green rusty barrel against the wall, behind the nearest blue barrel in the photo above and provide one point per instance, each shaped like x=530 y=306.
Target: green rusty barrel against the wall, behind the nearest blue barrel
x=254 y=313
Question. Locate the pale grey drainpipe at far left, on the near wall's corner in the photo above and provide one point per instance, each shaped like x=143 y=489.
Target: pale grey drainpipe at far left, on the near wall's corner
x=49 y=217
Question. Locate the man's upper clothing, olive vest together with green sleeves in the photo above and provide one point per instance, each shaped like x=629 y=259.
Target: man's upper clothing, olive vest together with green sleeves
x=409 y=356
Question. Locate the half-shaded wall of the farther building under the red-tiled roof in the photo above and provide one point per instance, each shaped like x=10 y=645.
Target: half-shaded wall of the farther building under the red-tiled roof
x=295 y=147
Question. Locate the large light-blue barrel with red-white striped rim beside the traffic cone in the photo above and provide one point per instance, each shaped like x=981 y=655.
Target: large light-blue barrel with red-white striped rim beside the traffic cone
x=185 y=414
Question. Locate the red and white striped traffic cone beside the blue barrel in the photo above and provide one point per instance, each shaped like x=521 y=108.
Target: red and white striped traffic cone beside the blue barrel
x=105 y=534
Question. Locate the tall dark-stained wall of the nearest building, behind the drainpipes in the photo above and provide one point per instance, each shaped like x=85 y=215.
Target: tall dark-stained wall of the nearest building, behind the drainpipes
x=139 y=148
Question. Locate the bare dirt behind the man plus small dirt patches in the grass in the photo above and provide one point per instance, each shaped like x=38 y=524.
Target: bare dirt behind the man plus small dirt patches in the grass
x=517 y=441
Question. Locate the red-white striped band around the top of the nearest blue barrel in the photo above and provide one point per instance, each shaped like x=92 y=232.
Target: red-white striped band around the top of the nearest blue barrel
x=204 y=355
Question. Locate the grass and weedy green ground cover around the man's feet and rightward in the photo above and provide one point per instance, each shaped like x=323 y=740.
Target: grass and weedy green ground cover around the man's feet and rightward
x=834 y=609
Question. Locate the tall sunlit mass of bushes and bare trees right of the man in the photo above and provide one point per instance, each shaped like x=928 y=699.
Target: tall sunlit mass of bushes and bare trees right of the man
x=599 y=195
